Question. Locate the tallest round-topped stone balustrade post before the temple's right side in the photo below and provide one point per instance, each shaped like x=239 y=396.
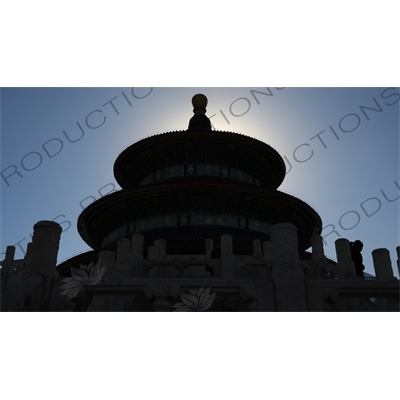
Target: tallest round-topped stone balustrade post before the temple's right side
x=287 y=273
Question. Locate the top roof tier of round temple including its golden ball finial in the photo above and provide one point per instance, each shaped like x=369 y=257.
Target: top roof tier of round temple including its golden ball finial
x=197 y=146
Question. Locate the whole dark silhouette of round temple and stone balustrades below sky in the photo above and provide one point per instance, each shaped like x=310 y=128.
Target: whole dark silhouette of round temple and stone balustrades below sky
x=199 y=225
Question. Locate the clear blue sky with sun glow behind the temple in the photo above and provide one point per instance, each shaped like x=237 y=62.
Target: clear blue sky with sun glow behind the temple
x=340 y=145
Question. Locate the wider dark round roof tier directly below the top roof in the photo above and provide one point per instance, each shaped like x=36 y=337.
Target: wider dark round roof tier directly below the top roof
x=164 y=210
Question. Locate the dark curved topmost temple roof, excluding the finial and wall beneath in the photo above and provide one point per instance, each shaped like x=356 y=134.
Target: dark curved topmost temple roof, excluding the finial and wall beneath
x=210 y=147
